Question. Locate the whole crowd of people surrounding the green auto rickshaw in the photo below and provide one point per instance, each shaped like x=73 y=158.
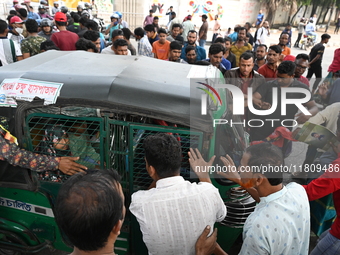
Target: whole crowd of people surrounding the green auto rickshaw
x=176 y=216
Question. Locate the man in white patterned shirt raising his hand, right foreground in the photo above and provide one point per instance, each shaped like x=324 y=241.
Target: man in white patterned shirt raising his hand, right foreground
x=280 y=223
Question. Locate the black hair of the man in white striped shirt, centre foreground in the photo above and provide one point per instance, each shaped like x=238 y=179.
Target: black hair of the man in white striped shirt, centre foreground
x=163 y=152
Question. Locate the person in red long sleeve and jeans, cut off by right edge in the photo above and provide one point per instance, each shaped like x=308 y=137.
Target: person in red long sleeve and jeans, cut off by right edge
x=328 y=183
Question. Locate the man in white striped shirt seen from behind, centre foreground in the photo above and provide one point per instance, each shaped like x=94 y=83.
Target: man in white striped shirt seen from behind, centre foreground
x=174 y=213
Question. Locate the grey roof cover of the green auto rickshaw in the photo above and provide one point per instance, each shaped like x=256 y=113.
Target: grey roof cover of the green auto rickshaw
x=135 y=84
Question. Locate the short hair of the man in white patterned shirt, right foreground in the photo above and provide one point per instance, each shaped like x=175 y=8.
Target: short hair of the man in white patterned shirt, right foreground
x=264 y=155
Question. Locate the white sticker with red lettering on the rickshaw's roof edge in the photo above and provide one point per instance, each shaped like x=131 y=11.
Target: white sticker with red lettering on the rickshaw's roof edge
x=26 y=90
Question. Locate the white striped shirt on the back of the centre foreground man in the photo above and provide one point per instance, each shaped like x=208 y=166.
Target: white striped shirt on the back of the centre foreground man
x=173 y=215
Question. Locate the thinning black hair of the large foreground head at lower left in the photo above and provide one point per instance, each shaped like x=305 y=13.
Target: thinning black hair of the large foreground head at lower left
x=88 y=206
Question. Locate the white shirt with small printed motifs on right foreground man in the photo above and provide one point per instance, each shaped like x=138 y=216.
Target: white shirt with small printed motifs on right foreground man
x=280 y=224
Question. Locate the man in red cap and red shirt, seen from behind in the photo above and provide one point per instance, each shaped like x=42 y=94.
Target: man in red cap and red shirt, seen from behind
x=64 y=40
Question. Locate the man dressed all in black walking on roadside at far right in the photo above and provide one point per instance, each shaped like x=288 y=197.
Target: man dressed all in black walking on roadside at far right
x=315 y=57
